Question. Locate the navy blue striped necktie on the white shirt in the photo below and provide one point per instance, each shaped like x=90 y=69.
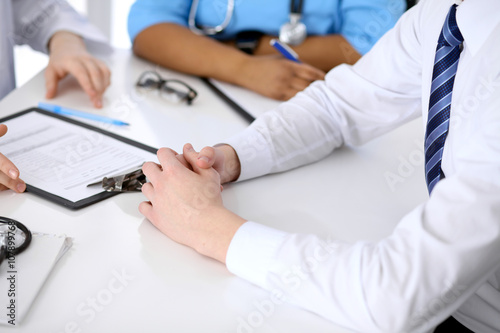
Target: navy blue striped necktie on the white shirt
x=443 y=77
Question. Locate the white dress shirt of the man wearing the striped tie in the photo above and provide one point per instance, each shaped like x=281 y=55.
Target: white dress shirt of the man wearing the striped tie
x=443 y=258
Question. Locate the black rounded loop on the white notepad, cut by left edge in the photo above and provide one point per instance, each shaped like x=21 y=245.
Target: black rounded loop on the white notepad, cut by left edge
x=14 y=238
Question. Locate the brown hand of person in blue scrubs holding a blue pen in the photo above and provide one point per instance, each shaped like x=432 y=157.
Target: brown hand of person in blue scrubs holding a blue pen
x=277 y=78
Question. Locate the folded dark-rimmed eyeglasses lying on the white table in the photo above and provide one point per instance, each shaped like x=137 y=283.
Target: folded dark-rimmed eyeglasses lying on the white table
x=173 y=90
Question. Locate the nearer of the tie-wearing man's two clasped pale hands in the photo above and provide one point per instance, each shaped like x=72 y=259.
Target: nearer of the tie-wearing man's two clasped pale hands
x=186 y=204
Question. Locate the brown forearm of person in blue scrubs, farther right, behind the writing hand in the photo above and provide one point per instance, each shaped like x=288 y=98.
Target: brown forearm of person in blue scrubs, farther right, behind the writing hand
x=323 y=52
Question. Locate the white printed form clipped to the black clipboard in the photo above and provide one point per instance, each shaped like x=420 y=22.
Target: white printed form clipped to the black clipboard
x=62 y=158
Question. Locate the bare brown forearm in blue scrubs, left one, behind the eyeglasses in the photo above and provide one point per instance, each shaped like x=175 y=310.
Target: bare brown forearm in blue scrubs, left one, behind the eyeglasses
x=176 y=47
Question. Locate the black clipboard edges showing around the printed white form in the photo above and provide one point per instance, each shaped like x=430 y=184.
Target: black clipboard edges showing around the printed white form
x=84 y=202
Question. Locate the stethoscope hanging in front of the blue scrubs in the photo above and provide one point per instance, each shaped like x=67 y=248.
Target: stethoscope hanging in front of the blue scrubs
x=293 y=32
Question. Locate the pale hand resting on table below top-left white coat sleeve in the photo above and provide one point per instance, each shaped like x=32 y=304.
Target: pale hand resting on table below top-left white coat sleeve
x=68 y=55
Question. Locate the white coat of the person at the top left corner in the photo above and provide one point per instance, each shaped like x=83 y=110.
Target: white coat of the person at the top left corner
x=33 y=22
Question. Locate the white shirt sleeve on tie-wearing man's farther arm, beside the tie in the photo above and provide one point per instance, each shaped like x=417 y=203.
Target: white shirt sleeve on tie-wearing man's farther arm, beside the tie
x=347 y=108
